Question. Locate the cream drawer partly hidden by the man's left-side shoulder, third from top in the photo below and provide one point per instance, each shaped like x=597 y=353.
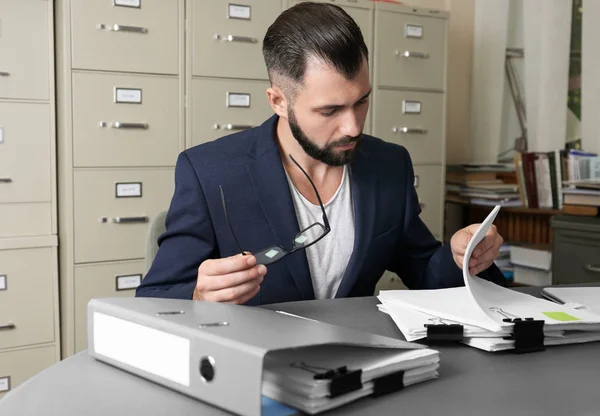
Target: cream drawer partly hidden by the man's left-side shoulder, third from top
x=111 y=227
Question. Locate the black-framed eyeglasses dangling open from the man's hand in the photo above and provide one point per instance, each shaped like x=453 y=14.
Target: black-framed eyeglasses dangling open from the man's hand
x=305 y=238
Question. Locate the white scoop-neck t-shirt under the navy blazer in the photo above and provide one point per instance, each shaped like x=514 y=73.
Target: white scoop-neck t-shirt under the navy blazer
x=329 y=257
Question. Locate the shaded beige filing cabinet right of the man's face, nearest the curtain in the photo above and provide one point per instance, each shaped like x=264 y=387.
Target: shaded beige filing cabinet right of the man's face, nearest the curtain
x=409 y=96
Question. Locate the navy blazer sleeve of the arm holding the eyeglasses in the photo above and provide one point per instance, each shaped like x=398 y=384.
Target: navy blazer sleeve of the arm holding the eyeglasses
x=189 y=239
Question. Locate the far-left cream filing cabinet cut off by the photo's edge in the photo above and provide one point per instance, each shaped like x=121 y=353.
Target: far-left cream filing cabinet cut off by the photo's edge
x=29 y=303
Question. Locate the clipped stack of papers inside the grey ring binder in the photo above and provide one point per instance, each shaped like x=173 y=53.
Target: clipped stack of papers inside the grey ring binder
x=292 y=376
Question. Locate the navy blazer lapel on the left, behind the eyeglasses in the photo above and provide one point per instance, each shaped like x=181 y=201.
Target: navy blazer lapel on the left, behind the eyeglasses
x=270 y=184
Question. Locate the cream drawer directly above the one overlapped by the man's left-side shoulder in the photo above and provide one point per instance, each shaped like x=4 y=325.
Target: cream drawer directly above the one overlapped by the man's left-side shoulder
x=125 y=120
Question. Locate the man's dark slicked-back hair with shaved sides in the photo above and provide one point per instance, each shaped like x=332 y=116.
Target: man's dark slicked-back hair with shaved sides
x=323 y=31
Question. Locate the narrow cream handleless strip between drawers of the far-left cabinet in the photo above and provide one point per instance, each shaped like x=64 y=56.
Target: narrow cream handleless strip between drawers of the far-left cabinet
x=25 y=220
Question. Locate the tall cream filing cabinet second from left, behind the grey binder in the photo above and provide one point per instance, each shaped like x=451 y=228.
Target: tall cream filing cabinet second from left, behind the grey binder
x=120 y=124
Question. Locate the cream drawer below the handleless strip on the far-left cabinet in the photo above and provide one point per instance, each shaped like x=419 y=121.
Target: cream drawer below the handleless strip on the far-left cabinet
x=26 y=296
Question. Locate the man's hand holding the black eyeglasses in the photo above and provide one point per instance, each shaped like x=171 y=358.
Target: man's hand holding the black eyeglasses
x=233 y=279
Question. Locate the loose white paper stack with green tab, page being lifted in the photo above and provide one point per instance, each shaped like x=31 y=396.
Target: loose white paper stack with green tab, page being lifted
x=488 y=313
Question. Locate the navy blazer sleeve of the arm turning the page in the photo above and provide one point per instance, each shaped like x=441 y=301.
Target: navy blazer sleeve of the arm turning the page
x=420 y=260
